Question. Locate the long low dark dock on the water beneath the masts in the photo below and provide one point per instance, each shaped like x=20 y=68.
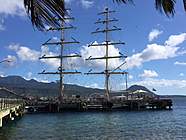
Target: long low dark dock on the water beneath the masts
x=100 y=105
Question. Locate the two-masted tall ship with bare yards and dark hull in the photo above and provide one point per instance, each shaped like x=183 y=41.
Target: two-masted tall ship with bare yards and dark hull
x=101 y=102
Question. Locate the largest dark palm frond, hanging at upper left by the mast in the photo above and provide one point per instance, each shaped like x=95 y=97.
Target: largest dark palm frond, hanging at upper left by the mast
x=43 y=12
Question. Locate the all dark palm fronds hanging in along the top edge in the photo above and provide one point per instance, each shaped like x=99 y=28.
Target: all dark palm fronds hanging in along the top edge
x=43 y=12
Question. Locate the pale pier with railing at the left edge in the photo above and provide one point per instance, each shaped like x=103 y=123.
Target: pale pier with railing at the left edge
x=10 y=109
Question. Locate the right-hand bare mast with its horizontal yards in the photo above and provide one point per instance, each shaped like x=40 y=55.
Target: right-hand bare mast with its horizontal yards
x=107 y=72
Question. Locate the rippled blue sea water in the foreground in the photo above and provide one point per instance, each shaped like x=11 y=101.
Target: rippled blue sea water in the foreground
x=146 y=125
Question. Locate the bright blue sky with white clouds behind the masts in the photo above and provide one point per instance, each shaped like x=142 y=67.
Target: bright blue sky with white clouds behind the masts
x=155 y=45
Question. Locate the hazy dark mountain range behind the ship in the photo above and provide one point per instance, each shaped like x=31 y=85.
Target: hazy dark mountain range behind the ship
x=32 y=87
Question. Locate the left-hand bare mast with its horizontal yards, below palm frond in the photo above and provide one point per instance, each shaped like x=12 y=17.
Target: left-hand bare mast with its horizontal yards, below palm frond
x=61 y=70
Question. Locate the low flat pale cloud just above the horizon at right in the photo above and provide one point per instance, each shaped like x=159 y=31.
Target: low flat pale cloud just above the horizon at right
x=162 y=83
